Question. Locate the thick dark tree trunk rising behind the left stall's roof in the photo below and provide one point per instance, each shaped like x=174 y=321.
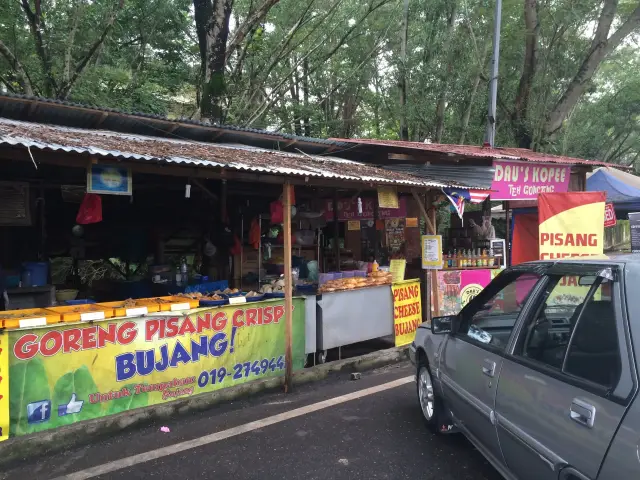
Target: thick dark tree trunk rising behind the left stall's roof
x=212 y=27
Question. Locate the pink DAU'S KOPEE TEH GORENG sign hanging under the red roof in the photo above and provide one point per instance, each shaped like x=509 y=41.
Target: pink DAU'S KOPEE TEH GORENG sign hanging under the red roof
x=525 y=181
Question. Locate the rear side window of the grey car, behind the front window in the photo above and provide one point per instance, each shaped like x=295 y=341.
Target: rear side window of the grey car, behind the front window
x=574 y=330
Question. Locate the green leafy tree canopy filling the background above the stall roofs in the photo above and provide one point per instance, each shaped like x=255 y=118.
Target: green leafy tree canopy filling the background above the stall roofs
x=411 y=69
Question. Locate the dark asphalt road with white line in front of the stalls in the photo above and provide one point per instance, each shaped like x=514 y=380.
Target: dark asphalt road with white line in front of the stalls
x=369 y=428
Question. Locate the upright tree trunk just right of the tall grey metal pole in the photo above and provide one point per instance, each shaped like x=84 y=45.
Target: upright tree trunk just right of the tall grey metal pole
x=519 y=118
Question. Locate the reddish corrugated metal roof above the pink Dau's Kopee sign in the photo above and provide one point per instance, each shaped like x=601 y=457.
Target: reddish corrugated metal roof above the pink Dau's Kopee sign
x=500 y=153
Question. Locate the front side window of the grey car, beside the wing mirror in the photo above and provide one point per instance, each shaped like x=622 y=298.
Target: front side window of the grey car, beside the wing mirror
x=491 y=319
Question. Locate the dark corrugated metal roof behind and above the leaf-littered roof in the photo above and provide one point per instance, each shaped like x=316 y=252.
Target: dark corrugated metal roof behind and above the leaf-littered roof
x=70 y=114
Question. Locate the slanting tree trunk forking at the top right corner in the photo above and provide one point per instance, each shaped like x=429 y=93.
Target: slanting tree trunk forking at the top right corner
x=601 y=46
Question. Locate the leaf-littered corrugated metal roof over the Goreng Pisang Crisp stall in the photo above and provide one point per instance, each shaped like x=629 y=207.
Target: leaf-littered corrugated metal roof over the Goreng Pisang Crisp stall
x=116 y=145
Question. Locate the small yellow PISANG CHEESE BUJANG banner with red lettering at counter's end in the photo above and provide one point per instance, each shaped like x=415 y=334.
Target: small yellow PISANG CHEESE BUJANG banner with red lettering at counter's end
x=407 y=311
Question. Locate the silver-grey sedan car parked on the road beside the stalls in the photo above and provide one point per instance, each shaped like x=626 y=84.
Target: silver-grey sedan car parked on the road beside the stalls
x=540 y=372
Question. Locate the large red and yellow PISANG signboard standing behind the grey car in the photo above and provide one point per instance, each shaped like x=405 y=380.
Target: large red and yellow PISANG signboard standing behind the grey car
x=571 y=224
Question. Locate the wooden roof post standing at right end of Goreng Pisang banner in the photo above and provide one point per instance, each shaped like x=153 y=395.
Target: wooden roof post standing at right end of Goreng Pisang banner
x=288 y=289
